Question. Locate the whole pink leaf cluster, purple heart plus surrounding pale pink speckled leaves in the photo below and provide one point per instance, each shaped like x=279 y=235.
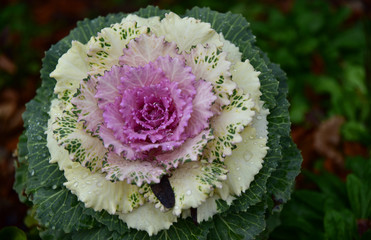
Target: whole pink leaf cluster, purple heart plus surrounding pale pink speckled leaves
x=149 y=108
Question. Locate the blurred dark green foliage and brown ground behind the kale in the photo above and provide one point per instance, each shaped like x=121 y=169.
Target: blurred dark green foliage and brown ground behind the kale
x=323 y=46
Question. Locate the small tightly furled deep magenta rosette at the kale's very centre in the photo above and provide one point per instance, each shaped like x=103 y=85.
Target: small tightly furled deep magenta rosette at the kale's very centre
x=149 y=113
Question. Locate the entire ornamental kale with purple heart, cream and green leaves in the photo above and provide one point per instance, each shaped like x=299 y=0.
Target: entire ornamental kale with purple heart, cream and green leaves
x=158 y=126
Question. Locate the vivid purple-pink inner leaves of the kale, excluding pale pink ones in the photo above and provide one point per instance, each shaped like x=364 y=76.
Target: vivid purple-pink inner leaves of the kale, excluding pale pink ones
x=152 y=108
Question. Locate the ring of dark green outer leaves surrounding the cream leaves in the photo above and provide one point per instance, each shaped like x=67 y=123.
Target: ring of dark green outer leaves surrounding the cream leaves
x=60 y=210
